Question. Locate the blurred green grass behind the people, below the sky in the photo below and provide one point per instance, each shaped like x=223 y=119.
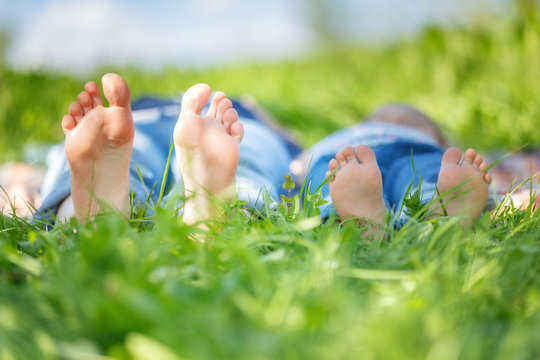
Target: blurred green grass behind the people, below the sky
x=481 y=83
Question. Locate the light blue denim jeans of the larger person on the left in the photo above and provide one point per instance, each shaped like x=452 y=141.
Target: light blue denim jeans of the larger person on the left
x=264 y=157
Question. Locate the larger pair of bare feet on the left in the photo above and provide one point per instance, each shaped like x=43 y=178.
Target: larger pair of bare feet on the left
x=99 y=142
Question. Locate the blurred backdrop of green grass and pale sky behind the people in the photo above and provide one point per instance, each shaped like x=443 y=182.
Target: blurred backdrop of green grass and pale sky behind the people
x=315 y=65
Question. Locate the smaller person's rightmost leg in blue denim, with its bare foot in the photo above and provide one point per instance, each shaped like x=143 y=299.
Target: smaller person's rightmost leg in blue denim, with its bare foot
x=463 y=185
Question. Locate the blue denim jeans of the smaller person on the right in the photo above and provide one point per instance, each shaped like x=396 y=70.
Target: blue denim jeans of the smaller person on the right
x=396 y=148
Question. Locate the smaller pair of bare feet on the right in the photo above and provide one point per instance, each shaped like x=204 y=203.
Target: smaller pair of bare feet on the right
x=356 y=185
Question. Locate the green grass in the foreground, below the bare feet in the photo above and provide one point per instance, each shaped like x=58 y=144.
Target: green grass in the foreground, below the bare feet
x=267 y=288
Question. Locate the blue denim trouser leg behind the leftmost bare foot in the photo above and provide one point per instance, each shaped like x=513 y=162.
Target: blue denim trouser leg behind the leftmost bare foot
x=151 y=144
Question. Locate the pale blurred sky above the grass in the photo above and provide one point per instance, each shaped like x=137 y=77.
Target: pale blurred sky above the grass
x=72 y=35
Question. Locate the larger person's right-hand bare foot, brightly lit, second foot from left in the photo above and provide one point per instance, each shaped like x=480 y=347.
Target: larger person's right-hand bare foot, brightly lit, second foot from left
x=207 y=151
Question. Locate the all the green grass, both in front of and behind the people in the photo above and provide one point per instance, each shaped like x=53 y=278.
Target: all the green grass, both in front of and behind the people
x=281 y=286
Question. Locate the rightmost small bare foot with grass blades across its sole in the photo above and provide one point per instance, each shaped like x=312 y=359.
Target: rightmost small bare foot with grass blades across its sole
x=470 y=198
